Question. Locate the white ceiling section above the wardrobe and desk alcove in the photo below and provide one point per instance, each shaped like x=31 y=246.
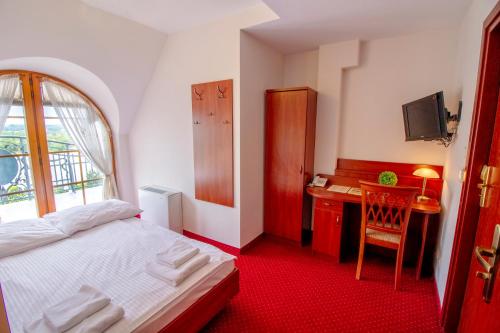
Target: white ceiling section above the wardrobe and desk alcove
x=306 y=24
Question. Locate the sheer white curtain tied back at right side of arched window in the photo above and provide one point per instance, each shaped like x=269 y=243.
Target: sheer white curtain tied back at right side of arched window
x=82 y=122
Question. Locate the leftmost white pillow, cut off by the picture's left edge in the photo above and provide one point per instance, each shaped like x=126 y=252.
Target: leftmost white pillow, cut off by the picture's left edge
x=24 y=235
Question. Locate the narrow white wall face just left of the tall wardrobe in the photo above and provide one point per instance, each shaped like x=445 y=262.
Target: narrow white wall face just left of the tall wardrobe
x=261 y=68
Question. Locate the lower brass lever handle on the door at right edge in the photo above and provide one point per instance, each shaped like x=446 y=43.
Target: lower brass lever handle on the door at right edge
x=488 y=259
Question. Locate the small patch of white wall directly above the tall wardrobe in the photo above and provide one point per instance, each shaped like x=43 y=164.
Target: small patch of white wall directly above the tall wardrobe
x=301 y=69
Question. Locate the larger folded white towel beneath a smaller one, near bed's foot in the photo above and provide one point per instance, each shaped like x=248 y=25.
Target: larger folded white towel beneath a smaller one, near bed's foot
x=174 y=277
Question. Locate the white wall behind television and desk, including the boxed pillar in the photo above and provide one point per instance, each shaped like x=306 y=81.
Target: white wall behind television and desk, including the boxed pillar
x=362 y=86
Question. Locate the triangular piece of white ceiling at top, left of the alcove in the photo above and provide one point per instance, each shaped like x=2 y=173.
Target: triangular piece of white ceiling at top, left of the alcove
x=171 y=16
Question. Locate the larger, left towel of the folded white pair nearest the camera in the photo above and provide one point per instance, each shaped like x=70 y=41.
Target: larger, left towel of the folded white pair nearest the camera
x=71 y=311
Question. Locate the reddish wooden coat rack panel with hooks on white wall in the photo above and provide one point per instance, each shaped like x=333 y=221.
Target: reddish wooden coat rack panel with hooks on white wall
x=213 y=141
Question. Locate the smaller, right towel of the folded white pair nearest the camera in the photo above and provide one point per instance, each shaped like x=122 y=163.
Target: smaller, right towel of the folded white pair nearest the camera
x=101 y=320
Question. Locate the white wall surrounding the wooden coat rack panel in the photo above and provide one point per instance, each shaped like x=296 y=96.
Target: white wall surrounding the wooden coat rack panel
x=162 y=139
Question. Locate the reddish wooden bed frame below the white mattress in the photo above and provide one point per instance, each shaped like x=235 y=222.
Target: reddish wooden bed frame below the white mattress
x=192 y=319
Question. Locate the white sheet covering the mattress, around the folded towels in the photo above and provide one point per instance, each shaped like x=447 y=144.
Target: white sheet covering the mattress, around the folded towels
x=110 y=257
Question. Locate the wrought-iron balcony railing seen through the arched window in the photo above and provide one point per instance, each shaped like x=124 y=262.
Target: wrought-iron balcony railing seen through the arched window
x=70 y=170
